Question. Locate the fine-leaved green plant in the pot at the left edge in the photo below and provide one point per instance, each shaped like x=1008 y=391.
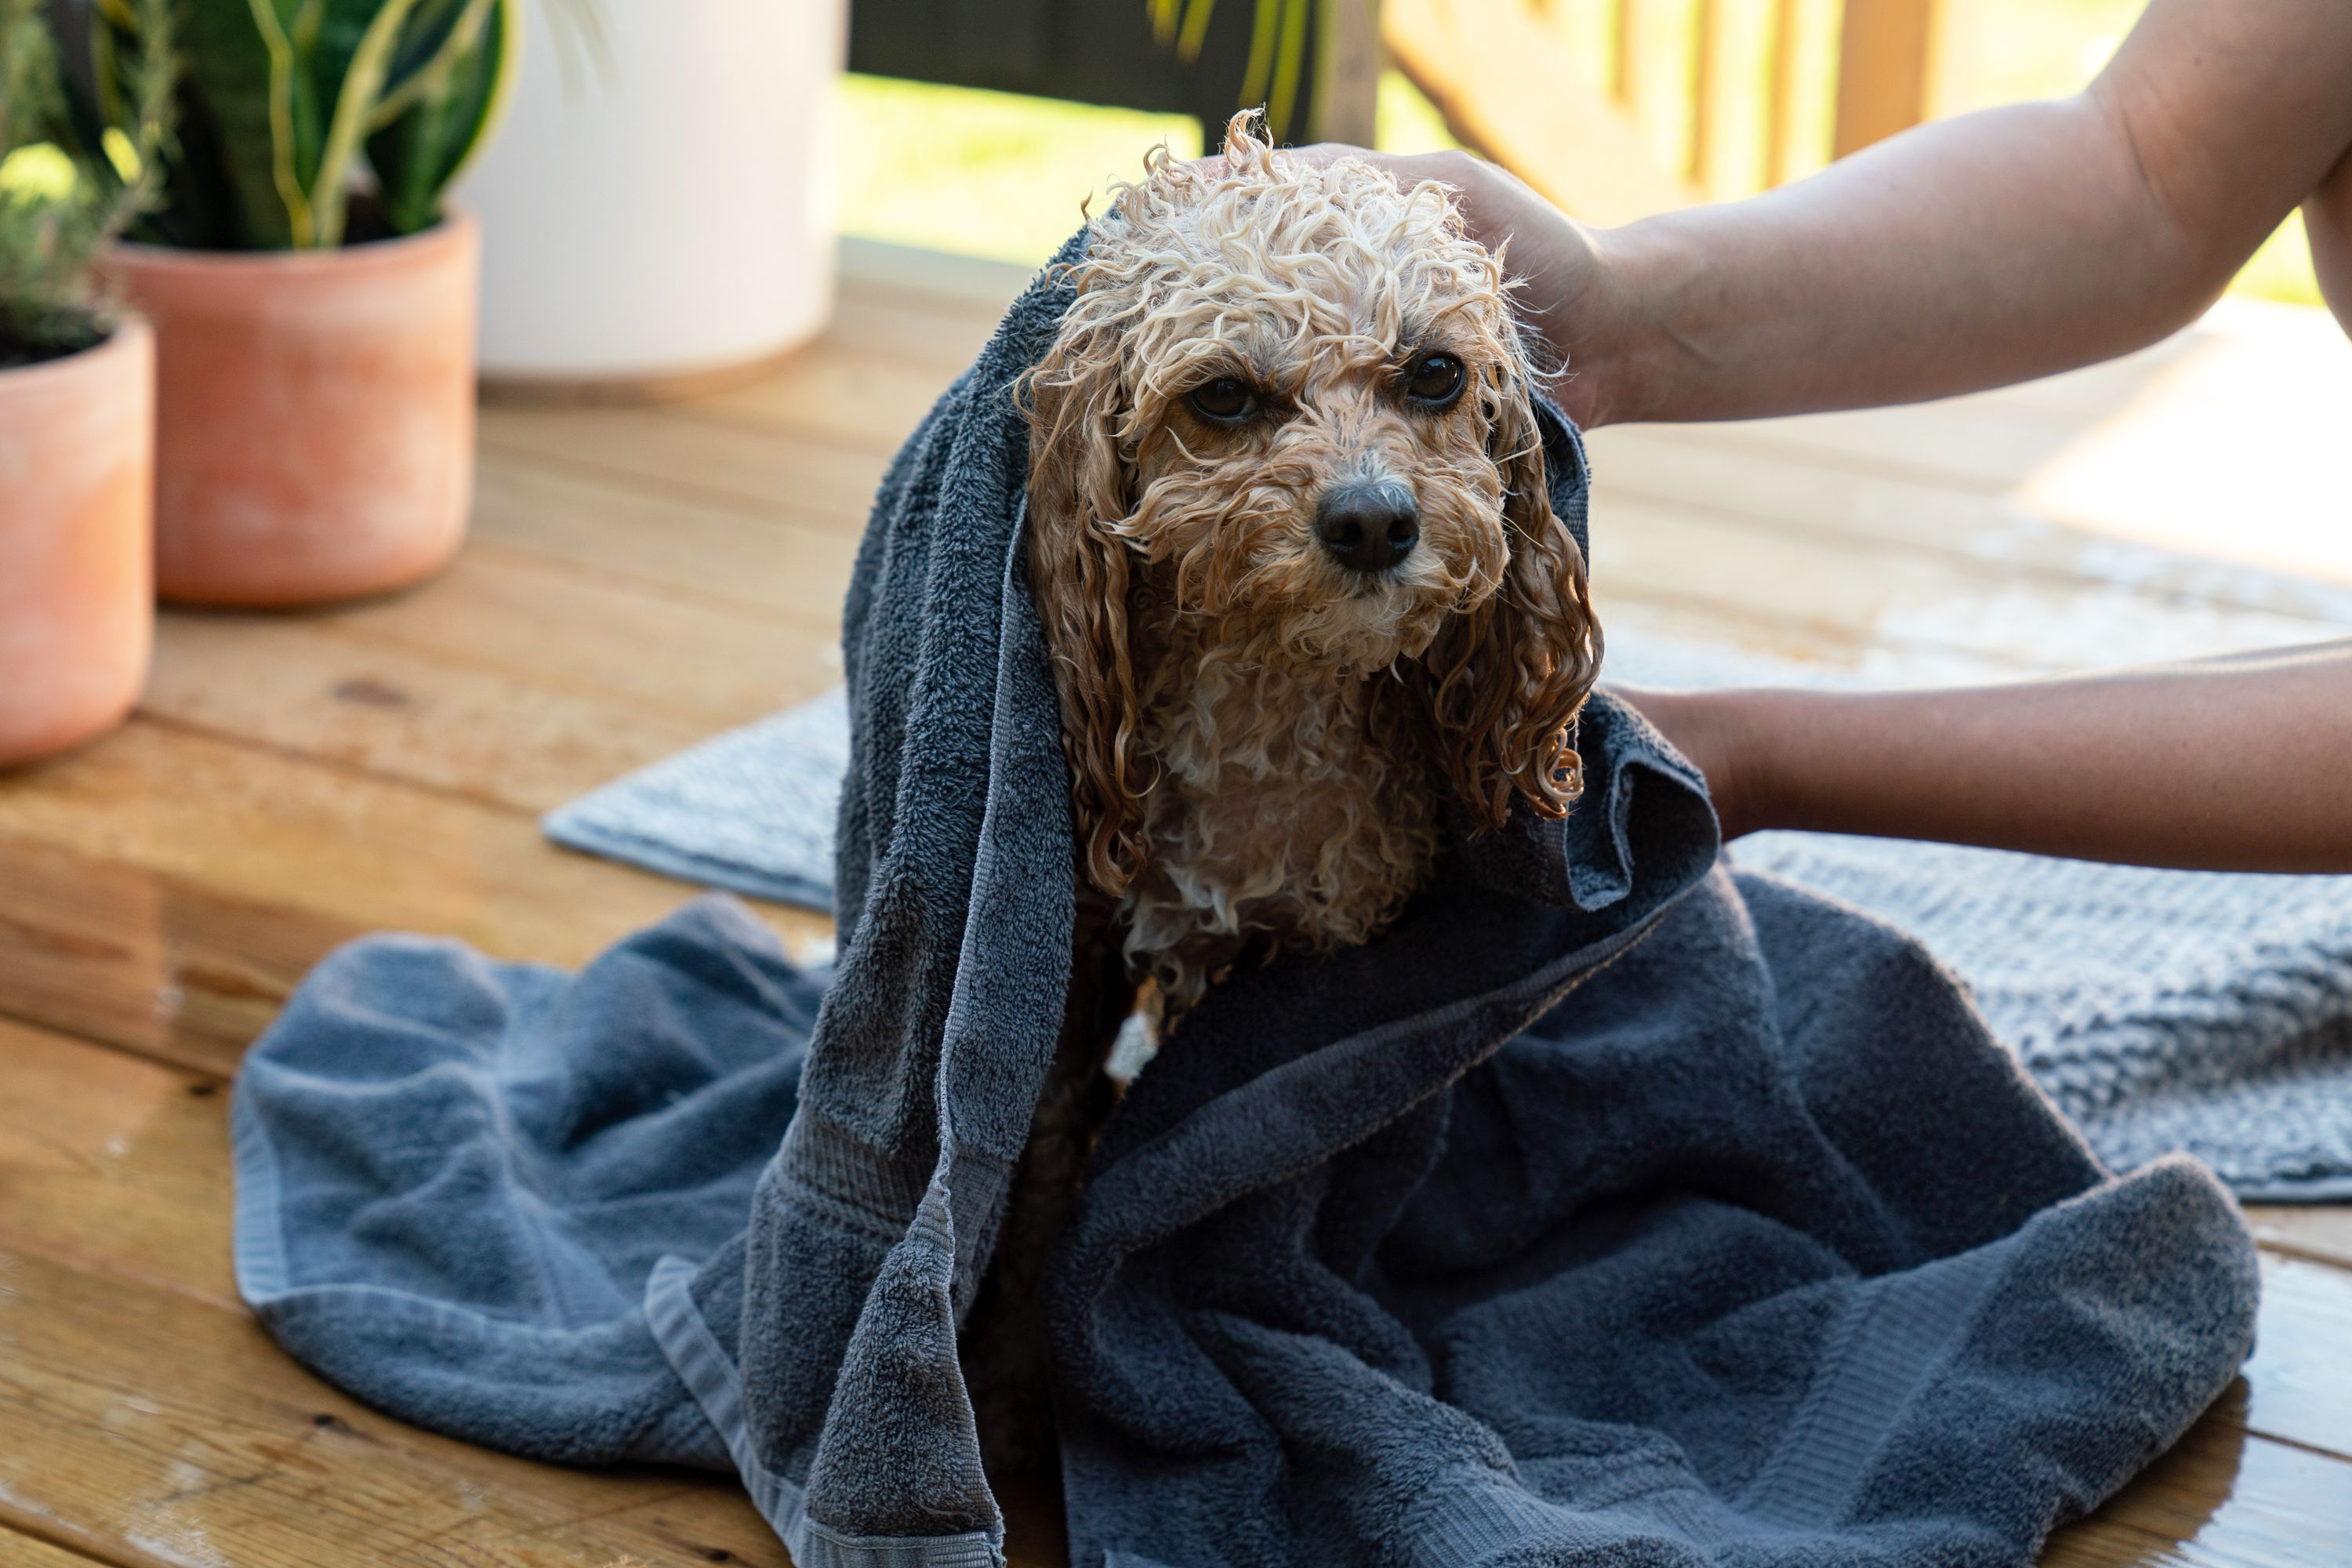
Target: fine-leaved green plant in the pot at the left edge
x=67 y=192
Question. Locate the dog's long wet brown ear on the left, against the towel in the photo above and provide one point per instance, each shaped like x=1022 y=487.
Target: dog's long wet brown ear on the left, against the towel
x=1081 y=483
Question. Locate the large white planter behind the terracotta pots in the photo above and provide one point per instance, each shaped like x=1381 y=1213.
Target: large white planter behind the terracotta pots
x=667 y=213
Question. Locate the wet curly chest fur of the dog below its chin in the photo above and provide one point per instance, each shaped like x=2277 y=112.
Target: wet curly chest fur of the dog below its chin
x=1290 y=810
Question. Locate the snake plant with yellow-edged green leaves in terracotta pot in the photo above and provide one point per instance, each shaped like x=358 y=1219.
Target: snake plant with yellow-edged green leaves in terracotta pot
x=312 y=123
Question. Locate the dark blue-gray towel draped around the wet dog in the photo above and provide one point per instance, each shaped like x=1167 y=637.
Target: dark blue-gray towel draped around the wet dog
x=1610 y=1209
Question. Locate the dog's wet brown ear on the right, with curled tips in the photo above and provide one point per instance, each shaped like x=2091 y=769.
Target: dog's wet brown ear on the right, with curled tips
x=1506 y=681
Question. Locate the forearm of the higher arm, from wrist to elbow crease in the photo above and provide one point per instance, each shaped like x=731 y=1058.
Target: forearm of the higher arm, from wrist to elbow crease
x=1965 y=255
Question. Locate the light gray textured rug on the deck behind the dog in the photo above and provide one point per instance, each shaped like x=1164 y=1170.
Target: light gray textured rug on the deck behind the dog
x=2160 y=1010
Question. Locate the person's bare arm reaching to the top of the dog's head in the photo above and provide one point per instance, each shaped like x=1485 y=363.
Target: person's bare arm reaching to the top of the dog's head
x=1960 y=255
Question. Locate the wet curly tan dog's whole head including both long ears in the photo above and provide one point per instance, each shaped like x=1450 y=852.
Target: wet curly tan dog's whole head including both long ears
x=1295 y=401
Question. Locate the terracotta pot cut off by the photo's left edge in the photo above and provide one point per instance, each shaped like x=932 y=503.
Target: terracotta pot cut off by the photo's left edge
x=76 y=525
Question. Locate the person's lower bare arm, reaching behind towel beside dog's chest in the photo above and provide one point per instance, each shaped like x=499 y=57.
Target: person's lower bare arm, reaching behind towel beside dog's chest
x=2238 y=763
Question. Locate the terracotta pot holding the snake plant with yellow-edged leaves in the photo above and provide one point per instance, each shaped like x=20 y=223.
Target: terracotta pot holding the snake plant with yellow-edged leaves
x=314 y=415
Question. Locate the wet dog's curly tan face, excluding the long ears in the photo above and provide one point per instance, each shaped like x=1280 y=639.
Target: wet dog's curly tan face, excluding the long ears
x=1314 y=443
